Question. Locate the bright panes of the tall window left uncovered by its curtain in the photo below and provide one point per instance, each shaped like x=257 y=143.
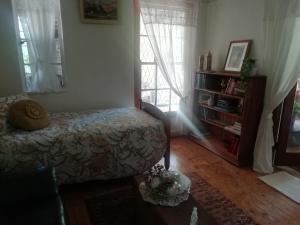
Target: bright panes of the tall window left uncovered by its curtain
x=154 y=87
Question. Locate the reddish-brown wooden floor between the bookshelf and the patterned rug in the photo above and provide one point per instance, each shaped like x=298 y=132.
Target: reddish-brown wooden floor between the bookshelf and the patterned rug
x=240 y=185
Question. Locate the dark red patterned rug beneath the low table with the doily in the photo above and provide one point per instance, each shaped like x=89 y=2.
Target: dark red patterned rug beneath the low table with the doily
x=117 y=206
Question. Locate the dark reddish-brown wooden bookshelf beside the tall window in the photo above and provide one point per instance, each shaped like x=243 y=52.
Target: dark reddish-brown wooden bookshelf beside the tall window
x=237 y=149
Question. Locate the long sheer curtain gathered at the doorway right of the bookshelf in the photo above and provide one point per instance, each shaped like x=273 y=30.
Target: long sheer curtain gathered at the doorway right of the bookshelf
x=282 y=66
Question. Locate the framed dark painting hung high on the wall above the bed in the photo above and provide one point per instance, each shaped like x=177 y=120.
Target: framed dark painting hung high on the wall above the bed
x=100 y=11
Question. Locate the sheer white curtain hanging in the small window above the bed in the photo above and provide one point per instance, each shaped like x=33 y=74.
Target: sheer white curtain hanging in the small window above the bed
x=40 y=21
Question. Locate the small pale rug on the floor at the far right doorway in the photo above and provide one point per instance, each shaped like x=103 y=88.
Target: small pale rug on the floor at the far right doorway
x=284 y=183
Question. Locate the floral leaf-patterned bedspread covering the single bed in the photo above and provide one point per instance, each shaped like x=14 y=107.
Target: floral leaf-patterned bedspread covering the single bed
x=84 y=146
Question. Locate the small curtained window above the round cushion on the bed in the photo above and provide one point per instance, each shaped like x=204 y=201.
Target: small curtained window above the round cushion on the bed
x=40 y=45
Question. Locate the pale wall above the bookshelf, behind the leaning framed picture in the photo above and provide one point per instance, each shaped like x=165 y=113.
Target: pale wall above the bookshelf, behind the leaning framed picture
x=229 y=20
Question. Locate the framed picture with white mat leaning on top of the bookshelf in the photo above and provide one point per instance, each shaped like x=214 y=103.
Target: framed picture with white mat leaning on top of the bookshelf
x=237 y=52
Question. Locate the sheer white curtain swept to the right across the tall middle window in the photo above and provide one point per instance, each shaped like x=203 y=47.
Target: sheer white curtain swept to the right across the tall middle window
x=171 y=27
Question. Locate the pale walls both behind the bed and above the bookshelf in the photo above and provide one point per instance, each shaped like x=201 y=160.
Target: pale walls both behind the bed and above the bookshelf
x=99 y=58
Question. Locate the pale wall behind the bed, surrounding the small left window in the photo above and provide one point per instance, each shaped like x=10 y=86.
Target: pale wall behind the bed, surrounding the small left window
x=99 y=61
